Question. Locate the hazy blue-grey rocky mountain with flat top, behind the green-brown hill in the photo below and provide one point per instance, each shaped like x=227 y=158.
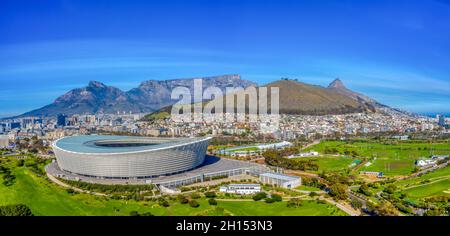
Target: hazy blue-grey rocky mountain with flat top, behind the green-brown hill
x=151 y=95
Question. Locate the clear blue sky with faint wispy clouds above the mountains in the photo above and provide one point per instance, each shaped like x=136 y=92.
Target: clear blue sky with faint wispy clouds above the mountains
x=397 y=52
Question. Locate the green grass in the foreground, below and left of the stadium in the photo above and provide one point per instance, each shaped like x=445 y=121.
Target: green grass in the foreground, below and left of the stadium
x=46 y=198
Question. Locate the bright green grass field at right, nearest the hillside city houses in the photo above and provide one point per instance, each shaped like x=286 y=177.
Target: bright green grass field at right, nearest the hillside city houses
x=394 y=158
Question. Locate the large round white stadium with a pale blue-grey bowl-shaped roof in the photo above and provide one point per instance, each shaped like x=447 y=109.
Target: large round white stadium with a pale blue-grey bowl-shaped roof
x=127 y=157
